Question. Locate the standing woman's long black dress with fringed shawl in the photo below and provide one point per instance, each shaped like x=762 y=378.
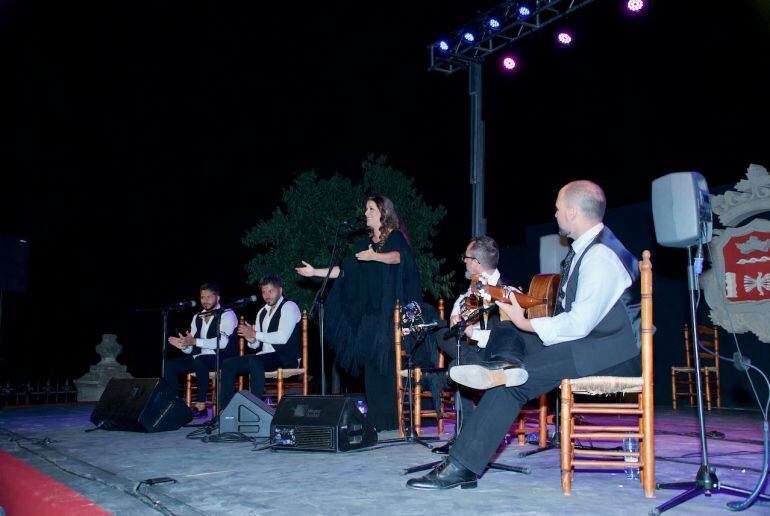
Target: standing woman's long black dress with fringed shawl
x=359 y=321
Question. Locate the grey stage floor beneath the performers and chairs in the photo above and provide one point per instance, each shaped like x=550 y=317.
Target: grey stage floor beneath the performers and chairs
x=218 y=478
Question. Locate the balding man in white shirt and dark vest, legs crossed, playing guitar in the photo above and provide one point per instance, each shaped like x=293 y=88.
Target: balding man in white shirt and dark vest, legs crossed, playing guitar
x=591 y=334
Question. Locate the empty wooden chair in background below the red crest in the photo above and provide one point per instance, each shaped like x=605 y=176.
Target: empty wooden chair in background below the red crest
x=708 y=337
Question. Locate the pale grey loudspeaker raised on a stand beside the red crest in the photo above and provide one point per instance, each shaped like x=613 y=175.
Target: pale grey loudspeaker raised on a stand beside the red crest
x=681 y=209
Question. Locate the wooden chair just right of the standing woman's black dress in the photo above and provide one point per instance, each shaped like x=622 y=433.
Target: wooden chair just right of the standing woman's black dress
x=437 y=412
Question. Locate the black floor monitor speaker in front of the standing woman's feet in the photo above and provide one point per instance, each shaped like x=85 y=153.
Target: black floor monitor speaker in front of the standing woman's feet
x=320 y=423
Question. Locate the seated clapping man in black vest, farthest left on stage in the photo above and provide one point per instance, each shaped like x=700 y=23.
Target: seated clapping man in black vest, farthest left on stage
x=200 y=343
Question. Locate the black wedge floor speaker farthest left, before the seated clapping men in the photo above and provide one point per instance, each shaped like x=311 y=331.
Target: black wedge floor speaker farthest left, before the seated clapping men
x=140 y=405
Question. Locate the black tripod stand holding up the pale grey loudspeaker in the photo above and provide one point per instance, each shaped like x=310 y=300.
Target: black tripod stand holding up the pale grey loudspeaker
x=706 y=481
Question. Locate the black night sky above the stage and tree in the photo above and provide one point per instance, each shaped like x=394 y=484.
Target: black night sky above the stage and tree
x=140 y=140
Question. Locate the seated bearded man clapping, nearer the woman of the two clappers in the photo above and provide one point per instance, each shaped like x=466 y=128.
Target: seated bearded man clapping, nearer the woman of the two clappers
x=275 y=337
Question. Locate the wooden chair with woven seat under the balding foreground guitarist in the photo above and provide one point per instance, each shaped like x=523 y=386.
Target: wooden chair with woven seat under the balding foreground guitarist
x=643 y=430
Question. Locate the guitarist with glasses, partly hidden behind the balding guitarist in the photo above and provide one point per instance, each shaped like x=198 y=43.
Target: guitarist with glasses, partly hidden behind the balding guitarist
x=480 y=258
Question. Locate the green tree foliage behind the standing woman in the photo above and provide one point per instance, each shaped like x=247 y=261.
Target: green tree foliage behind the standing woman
x=303 y=227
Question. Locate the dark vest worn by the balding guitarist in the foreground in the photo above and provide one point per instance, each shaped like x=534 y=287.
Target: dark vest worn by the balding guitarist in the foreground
x=616 y=338
